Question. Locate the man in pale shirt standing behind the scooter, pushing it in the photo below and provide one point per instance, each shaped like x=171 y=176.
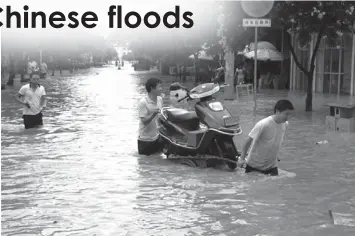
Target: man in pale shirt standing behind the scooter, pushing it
x=149 y=107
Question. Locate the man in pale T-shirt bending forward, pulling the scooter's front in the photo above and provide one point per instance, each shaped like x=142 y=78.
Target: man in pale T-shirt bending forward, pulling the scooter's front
x=265 y=140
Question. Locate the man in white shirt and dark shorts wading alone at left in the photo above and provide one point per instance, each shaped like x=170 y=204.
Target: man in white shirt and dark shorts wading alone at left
x=32 y=97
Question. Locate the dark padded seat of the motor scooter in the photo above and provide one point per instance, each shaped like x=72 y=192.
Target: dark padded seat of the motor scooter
x=188 y=119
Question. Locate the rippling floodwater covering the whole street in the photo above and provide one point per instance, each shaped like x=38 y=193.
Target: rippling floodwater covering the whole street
x=81 y=175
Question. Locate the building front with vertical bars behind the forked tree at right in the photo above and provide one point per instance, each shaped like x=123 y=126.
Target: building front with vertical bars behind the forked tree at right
x=334 y=66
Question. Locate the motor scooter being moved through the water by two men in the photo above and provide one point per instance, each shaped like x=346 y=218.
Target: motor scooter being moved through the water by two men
x=203 y=137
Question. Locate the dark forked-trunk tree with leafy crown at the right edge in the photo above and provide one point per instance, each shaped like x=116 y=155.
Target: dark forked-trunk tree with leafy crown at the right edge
x=322 y=19
